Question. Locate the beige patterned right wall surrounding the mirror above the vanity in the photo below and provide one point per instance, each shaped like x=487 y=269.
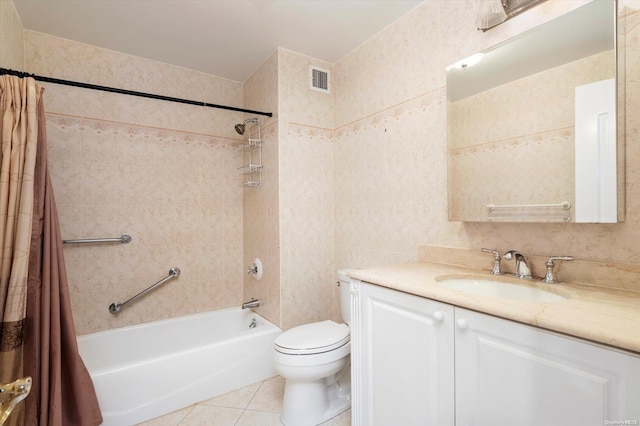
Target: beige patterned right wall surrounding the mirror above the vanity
x=390 y=145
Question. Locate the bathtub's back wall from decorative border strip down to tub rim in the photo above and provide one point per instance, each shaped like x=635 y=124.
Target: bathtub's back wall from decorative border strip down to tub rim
x=176 y=193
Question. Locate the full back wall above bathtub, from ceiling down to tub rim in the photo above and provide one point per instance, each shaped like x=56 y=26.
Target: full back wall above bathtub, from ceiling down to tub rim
x=163 y=172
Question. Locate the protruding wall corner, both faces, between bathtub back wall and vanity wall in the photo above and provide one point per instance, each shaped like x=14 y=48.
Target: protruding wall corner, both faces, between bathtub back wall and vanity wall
x=289 y=219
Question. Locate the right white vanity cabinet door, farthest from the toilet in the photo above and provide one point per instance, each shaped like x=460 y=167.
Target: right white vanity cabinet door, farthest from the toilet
x=513 y=374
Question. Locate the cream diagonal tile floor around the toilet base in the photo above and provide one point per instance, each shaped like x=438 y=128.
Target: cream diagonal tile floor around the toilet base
x=259 y=404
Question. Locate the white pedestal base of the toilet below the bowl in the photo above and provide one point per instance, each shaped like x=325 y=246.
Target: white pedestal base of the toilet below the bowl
x=311 y=403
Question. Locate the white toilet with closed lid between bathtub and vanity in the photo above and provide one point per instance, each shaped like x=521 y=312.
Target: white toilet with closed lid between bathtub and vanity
x=314 y=359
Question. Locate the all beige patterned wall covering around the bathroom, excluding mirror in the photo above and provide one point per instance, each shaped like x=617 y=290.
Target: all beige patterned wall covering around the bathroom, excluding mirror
x=354 y=179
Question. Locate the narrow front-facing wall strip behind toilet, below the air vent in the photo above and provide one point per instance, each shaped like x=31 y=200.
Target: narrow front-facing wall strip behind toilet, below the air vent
x=308 y=280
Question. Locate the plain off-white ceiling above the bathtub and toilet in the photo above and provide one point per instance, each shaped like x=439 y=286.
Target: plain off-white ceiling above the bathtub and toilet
x=227 y=38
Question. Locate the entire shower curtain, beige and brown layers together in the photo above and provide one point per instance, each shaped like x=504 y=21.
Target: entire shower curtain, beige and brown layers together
x=37 y=335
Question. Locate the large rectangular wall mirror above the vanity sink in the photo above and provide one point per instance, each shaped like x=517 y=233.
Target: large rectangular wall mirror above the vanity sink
x=515 y=150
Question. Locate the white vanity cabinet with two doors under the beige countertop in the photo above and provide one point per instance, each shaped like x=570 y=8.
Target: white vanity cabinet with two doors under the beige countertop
x=417 y=361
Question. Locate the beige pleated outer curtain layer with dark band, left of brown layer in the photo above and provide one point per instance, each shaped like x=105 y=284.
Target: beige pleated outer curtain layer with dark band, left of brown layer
x=17 y=167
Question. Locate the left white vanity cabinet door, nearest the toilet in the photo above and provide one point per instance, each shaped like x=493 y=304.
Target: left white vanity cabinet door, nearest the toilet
x=403 y=359
